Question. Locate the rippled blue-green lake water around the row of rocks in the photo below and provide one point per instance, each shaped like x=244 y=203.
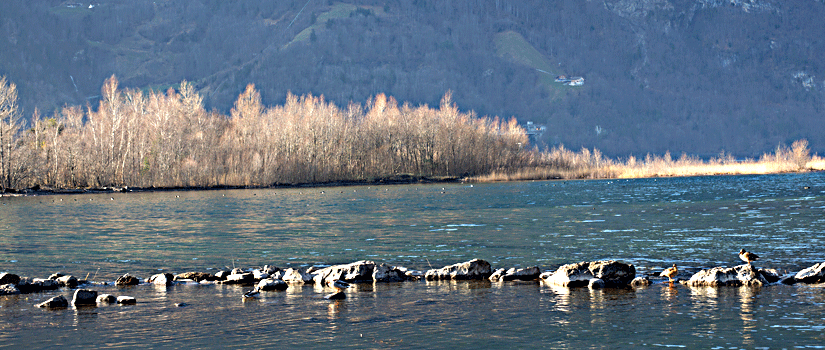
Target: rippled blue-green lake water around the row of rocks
x=696 y=223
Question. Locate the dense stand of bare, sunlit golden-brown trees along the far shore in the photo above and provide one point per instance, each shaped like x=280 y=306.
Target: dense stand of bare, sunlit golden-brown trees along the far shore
x=168 y=139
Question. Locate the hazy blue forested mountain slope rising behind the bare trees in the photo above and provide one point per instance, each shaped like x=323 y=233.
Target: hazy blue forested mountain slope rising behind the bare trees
x=700 y=76
